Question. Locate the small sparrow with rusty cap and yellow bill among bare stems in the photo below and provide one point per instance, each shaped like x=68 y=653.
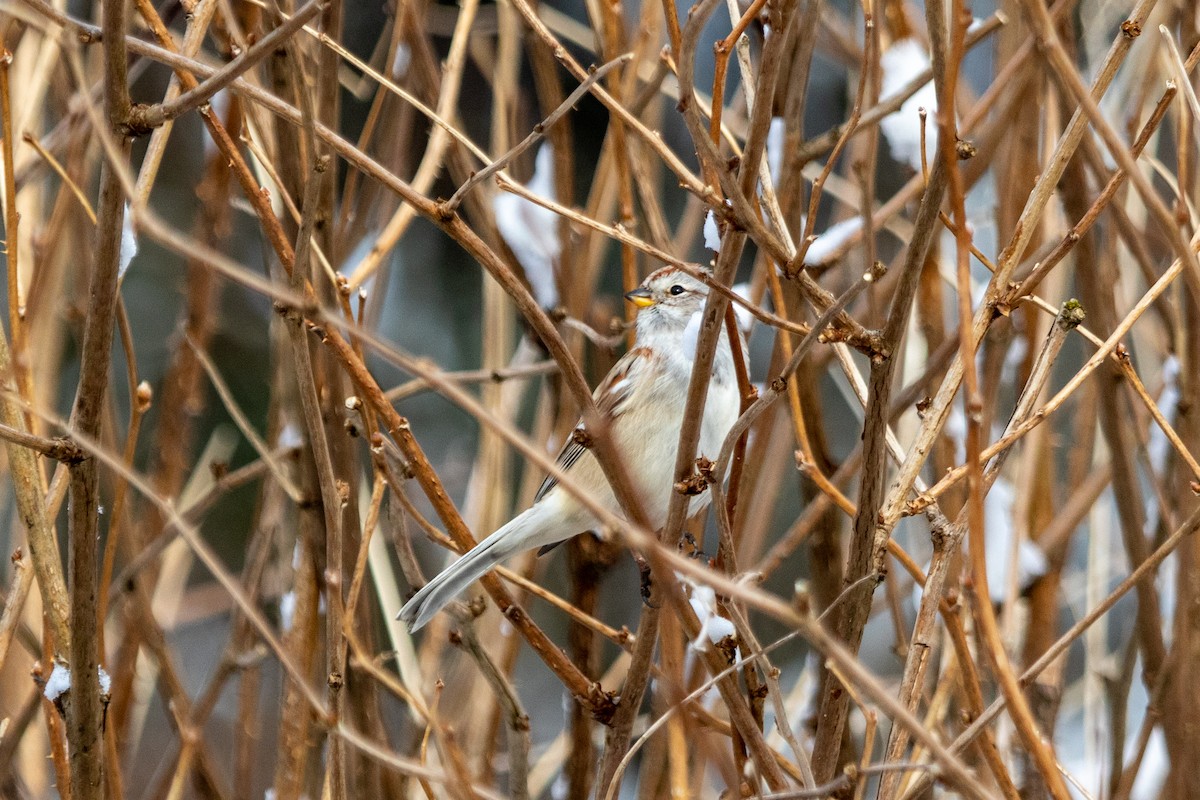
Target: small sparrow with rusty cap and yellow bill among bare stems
x=644 y=399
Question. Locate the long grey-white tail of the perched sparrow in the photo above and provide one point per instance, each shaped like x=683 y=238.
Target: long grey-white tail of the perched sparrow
x=524 y=532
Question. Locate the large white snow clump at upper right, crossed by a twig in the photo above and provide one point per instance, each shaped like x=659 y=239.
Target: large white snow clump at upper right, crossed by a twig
x=901 y=64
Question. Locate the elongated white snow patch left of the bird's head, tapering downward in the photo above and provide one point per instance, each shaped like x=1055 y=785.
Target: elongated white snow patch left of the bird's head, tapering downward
x=532 y=232
